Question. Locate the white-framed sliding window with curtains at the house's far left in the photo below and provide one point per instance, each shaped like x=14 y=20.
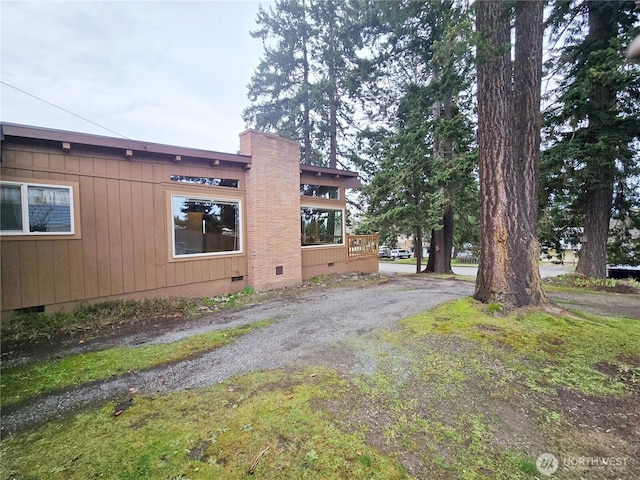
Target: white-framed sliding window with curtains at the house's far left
x=34 y=209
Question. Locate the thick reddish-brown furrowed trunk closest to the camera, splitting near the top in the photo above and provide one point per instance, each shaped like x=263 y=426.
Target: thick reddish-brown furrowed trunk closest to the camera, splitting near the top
x=509 y=152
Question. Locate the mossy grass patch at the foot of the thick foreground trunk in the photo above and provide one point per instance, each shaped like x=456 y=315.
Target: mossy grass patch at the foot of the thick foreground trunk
x=563 y=351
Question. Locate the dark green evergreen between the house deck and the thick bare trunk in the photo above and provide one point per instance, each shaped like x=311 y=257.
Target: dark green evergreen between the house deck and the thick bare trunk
x=423 y=68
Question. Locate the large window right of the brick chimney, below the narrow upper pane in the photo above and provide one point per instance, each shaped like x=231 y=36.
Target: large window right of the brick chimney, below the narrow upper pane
x=321 y=226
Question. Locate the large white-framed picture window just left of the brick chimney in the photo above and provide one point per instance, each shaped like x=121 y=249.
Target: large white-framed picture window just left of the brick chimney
x=205 y=226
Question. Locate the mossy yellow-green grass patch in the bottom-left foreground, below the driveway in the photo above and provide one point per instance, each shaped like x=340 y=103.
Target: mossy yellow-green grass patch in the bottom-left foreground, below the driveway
x=209 y=433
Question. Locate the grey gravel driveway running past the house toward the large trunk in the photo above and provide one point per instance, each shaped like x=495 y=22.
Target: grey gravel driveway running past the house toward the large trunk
x=314 y=324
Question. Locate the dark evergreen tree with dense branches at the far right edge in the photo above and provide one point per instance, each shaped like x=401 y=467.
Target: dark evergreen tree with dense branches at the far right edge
x=590 y=170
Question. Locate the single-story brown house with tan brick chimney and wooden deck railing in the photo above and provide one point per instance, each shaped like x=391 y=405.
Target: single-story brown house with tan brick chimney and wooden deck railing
x=87 y=218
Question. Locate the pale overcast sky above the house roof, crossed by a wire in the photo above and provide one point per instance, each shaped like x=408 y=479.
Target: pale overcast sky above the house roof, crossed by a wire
x=158 y=71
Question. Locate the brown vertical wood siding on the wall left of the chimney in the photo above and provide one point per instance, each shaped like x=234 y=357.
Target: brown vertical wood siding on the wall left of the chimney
x=122 y=246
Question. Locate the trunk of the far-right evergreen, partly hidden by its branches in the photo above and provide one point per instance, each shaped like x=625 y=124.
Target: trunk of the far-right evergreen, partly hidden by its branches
x=592 y=261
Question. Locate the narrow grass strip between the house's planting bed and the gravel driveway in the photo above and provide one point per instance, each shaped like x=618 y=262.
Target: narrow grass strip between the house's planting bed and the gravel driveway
x=23 y=382
